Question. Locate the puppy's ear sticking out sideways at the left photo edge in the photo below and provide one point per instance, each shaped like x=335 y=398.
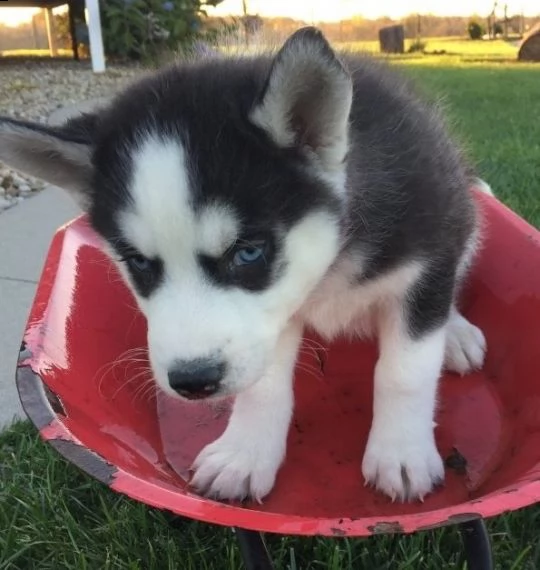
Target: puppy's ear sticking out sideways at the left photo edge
x=59 y=156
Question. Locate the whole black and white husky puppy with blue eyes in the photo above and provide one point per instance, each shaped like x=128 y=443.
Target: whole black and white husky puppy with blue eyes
x=246 y=198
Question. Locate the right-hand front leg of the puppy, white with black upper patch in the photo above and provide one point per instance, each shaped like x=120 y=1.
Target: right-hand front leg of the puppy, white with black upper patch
x=401 y=458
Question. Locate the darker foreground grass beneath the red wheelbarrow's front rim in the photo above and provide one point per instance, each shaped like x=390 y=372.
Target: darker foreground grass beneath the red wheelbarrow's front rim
x=55 y=517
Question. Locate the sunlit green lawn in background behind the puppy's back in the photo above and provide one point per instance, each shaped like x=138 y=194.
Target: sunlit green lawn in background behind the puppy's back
x=494 y=109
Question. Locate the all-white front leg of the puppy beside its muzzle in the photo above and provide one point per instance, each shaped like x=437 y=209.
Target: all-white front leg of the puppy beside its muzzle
x=244 y=461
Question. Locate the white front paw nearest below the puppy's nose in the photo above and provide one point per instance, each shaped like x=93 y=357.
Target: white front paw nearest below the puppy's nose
x=237 y=467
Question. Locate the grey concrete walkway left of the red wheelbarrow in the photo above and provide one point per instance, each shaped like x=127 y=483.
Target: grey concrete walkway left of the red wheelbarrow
x=25 y=235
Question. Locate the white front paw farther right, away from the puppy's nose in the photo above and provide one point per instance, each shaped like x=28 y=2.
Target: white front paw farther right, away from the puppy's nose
x=405 y=468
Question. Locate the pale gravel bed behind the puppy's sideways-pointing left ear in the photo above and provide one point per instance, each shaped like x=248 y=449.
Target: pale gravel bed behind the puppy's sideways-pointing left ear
x=32 y=90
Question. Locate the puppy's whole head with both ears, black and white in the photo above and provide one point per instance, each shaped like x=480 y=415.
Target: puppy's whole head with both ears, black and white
x=217 y=188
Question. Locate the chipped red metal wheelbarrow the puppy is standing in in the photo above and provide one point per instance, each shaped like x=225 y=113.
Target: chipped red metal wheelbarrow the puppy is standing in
x=84 y=384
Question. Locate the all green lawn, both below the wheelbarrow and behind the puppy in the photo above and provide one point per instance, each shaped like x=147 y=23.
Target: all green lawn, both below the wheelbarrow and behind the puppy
x=56 y=517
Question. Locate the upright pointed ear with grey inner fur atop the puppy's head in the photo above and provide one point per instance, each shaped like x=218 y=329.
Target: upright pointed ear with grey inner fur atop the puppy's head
x=307 y=99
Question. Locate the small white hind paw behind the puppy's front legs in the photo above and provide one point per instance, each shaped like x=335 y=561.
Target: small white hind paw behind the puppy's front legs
x=465 y=346
